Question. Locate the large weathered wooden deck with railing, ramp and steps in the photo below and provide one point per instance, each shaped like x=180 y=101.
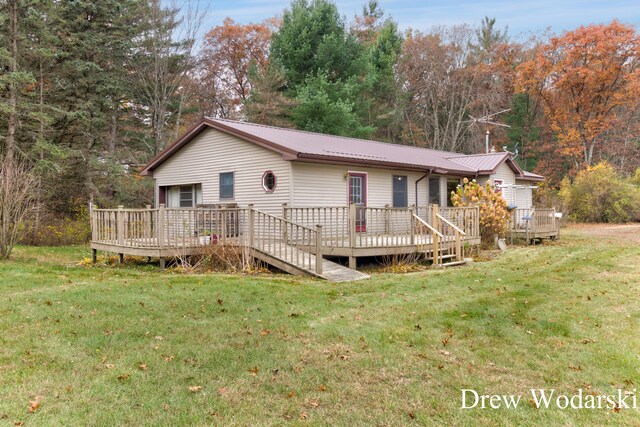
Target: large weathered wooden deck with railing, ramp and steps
x=293 y=241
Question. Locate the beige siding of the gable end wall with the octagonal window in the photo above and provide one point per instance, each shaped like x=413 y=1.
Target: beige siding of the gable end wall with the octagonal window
x=213 y=152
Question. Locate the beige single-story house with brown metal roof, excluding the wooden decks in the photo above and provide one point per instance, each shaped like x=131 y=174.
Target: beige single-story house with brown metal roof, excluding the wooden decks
x=237 y=163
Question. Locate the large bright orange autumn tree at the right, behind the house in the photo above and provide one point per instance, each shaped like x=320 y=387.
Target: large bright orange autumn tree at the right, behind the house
x=585 y=79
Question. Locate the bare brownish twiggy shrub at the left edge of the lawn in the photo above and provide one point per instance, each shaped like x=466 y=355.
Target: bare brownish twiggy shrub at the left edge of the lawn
x=18 y=191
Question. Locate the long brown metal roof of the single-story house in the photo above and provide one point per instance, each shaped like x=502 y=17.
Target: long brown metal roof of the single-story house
x=316 y=147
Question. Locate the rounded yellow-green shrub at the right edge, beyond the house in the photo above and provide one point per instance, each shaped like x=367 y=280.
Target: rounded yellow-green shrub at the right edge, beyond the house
x=598 y=194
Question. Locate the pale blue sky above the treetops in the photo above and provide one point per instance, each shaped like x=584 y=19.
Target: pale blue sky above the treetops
x=522 y=17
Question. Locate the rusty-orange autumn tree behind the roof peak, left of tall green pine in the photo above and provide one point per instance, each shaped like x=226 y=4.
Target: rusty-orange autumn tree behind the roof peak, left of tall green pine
x=229 y=51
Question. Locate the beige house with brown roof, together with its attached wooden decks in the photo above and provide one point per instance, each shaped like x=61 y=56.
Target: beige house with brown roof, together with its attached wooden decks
x=301 y=200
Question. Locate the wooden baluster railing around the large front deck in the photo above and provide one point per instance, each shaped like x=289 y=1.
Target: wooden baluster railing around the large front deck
x=313 y=227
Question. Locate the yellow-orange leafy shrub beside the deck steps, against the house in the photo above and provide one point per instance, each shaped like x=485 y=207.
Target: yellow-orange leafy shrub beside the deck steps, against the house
x=494 y=215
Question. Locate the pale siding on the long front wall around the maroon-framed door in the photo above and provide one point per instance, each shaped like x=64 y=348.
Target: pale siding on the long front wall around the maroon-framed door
x=317 y=184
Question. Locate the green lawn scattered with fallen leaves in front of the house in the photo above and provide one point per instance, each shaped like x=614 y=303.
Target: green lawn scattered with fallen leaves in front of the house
x=107 y=345
